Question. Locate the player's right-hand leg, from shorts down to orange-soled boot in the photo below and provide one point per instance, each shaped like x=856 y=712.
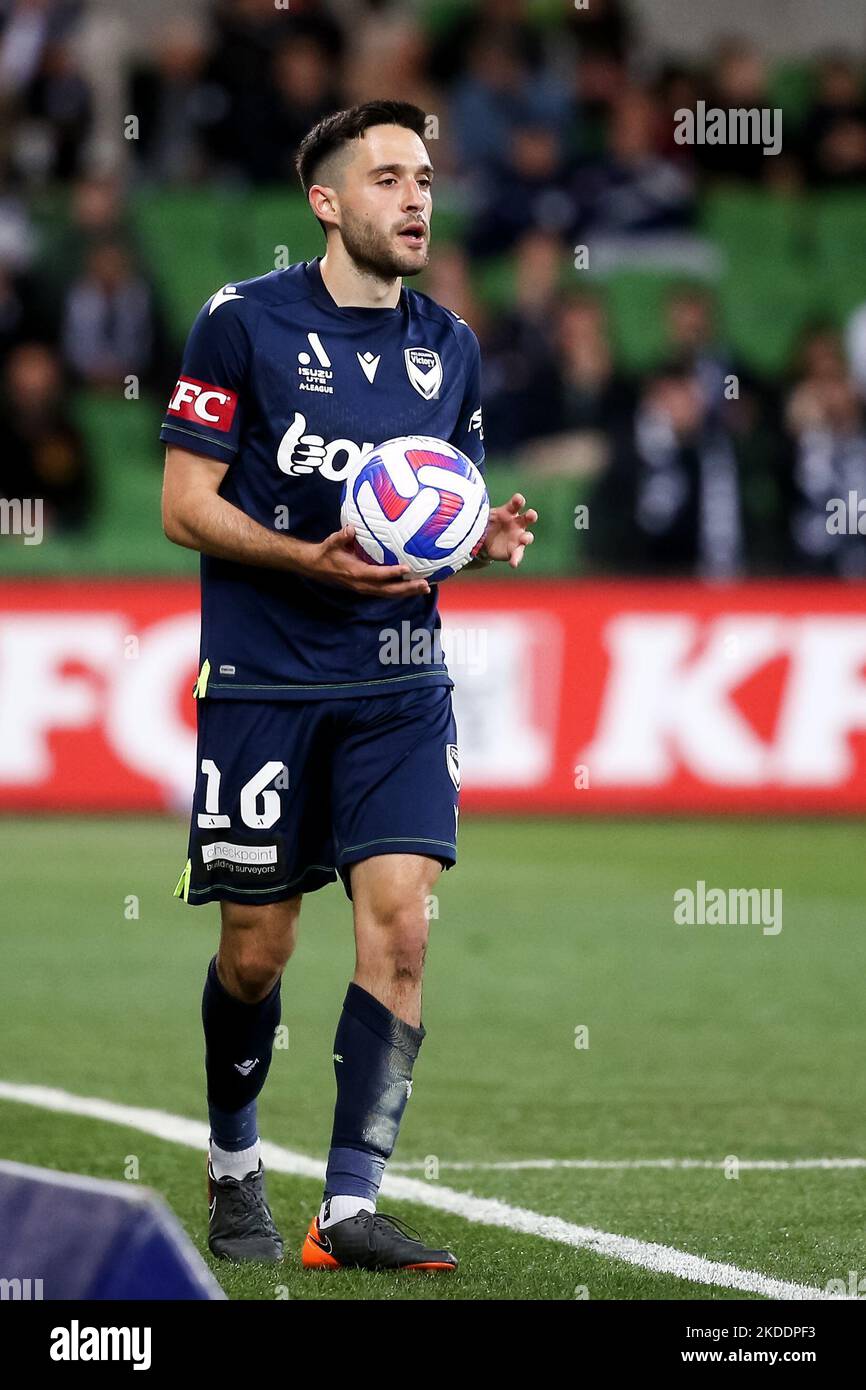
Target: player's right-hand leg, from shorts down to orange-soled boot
x=395 y=831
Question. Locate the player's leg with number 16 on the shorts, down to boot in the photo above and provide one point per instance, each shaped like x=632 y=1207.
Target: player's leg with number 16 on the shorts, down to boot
x=255 y=850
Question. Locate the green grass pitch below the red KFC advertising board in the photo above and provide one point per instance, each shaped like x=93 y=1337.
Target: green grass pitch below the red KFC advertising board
x=704 y=1042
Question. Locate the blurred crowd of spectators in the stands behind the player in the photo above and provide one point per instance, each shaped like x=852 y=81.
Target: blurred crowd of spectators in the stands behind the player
x=553 y=130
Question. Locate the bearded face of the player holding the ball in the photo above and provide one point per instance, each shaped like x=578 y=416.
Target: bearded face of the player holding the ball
x=386 y=202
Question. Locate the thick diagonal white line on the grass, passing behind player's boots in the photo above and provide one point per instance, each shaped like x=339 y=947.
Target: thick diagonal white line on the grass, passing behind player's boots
x=483 y=1211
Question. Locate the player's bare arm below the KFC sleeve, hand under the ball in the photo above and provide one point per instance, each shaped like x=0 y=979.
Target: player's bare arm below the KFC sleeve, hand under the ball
x=198 y=518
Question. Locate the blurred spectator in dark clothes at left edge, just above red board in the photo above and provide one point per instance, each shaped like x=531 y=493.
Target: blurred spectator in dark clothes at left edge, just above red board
x=44 y=452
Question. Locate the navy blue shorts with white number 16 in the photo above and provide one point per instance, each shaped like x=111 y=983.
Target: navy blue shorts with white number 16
x=288 y=796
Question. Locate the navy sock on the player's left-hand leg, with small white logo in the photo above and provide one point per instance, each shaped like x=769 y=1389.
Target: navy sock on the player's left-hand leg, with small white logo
x=240 y=1042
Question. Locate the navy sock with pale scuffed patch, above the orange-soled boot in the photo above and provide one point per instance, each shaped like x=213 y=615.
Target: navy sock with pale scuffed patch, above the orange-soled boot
x=373 y=1058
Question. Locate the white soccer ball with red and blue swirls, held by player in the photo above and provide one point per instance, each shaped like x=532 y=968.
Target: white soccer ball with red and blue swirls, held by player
x=419 y=502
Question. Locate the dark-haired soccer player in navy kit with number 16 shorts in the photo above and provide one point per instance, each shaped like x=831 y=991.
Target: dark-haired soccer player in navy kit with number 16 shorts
x=315 y=760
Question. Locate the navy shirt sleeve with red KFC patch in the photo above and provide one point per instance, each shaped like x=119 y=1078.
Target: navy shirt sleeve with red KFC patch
x=208 y=405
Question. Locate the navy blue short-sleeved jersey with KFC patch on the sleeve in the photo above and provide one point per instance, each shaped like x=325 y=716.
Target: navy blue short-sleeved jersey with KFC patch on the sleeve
x=288 y=389
